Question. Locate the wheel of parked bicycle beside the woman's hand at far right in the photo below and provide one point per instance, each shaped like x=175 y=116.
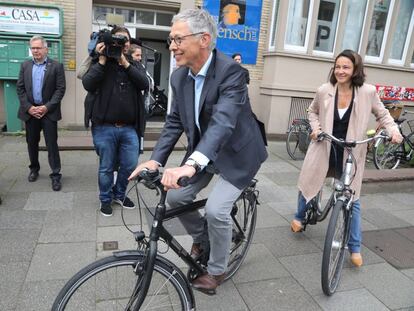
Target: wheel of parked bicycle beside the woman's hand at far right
x=386 y=155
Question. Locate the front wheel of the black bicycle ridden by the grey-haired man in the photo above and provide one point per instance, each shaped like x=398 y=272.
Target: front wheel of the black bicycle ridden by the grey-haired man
x=108 y=284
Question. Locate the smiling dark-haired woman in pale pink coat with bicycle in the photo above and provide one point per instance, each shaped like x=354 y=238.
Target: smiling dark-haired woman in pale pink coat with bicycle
x=342 y=108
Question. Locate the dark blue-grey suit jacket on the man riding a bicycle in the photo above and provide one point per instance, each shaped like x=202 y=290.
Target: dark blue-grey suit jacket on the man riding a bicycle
x=230 y=136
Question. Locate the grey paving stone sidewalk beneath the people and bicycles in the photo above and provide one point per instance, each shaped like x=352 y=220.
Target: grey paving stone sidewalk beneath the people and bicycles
x=46 y=237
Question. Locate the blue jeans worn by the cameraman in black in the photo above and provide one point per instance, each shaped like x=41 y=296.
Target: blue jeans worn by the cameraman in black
x=115 y=144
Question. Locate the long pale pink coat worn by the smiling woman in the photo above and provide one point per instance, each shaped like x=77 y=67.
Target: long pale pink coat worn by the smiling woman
x=321 y=113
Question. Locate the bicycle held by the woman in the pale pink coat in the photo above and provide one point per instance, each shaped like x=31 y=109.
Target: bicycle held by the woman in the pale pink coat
x=340 y=202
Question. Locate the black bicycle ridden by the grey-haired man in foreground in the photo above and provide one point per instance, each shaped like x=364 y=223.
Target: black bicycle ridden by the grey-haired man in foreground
x=142 y=279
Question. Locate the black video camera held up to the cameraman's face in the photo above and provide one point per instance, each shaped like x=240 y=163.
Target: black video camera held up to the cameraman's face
x=114 y=44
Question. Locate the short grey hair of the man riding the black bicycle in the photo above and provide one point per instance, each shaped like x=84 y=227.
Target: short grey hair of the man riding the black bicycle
x=199 y=20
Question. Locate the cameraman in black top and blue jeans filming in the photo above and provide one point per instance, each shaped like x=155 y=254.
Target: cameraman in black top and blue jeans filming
x=117 y=115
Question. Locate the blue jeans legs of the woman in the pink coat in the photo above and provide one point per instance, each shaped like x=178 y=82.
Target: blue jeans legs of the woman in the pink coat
x=354 y=244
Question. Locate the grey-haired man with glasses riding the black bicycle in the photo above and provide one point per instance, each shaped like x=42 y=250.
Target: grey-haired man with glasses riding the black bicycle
x=211 y=105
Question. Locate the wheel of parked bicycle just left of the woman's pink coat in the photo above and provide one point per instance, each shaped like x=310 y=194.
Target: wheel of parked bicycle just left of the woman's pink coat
x=297 y=142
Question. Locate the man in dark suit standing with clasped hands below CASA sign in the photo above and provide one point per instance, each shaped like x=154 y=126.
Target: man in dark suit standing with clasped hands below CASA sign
x=40 y=87
